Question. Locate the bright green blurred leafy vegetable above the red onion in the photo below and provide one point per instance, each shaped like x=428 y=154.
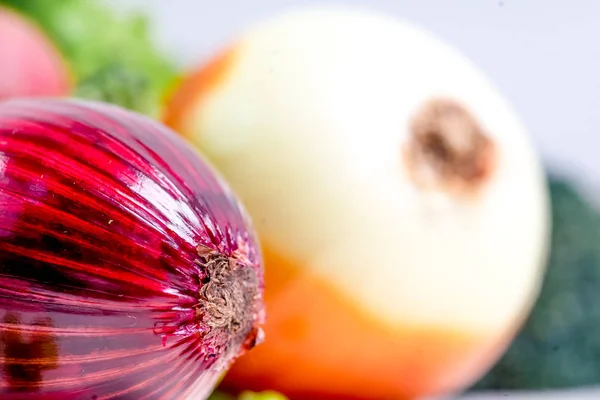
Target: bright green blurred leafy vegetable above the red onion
x=112 y=57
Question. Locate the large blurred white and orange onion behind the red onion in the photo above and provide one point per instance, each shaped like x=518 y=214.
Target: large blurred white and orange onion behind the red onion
x=401 y=207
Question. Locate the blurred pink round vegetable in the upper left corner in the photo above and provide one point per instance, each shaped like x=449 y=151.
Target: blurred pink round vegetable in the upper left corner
x=30 y=65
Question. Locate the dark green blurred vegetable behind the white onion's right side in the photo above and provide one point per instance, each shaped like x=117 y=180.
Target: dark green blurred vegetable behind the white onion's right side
x=559 y=346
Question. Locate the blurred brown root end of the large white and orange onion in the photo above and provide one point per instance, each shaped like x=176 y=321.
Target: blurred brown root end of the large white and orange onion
x=448 y=149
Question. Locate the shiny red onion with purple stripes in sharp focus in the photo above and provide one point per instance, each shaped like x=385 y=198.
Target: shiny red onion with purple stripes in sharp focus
x=128 y=268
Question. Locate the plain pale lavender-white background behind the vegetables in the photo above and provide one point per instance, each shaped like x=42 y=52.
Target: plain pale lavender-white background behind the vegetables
x=544 y=55
